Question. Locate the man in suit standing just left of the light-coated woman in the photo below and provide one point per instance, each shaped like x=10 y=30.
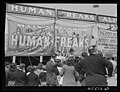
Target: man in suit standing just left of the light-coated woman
x=52 y=72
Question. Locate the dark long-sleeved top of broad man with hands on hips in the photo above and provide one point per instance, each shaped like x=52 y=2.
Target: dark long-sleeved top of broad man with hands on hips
x=95 y=68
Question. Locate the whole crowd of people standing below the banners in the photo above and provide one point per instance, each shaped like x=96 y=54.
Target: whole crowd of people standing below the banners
x=61 y=70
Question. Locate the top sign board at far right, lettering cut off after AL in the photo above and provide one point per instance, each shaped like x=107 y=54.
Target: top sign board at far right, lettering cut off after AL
x=107 y=19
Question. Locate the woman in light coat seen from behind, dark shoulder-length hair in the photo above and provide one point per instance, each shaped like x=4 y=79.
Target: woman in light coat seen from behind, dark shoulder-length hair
x=70 y=75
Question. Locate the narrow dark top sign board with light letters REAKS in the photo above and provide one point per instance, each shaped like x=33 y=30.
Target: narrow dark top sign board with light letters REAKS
x=63 y=14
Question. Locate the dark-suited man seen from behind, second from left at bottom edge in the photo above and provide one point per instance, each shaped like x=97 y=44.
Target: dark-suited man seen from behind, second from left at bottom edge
x=20 y=76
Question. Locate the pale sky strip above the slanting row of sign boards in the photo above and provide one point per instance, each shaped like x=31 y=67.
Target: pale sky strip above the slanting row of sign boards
x=103 y=9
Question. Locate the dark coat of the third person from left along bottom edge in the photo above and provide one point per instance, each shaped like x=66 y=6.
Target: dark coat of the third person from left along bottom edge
x=32 y=79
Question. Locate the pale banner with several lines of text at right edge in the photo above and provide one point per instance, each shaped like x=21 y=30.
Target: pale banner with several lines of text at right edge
x=107 y=41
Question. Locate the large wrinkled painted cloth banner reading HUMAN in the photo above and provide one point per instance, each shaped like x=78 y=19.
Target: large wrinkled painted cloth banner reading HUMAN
x=27 y=38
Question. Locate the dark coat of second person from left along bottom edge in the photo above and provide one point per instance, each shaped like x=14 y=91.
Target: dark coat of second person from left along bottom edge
x=20 y=78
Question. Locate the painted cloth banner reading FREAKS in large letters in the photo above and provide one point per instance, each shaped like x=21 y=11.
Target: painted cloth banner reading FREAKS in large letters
x=77 y=38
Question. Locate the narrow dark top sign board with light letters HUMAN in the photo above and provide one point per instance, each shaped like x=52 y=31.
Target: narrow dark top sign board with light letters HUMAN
x=30 y=10
